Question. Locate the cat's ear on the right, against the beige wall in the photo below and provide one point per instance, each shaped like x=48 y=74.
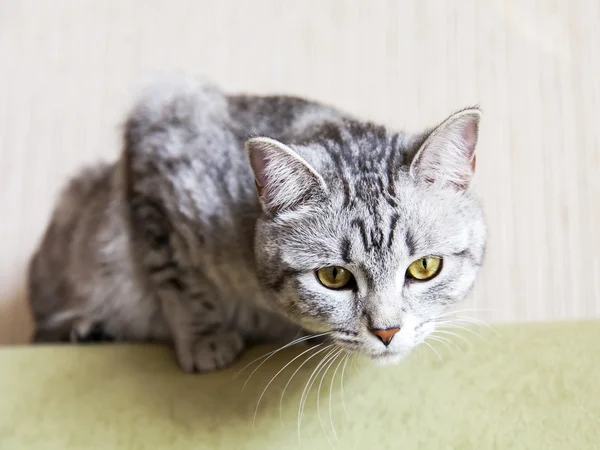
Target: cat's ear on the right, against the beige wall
x=448 y=154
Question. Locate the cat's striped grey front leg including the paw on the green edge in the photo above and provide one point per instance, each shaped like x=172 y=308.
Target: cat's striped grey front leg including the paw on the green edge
x=203 y=338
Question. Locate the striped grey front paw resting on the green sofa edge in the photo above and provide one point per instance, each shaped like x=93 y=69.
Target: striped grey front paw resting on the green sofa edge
x=210 y=353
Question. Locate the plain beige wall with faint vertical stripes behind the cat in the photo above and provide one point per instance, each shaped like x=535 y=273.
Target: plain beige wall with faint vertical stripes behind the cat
x=68 y=71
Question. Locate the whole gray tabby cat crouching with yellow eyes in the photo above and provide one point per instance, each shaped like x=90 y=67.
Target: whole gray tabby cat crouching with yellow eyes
x=233 y=219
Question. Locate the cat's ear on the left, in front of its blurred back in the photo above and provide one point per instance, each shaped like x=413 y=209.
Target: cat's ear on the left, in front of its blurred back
x=283 y=178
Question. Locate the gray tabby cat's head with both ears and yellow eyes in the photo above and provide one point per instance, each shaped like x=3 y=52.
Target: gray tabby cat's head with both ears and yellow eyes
x=367 y=234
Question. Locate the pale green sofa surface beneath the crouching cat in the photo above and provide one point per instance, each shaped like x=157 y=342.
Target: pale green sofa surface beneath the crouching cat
x=534 y=386
